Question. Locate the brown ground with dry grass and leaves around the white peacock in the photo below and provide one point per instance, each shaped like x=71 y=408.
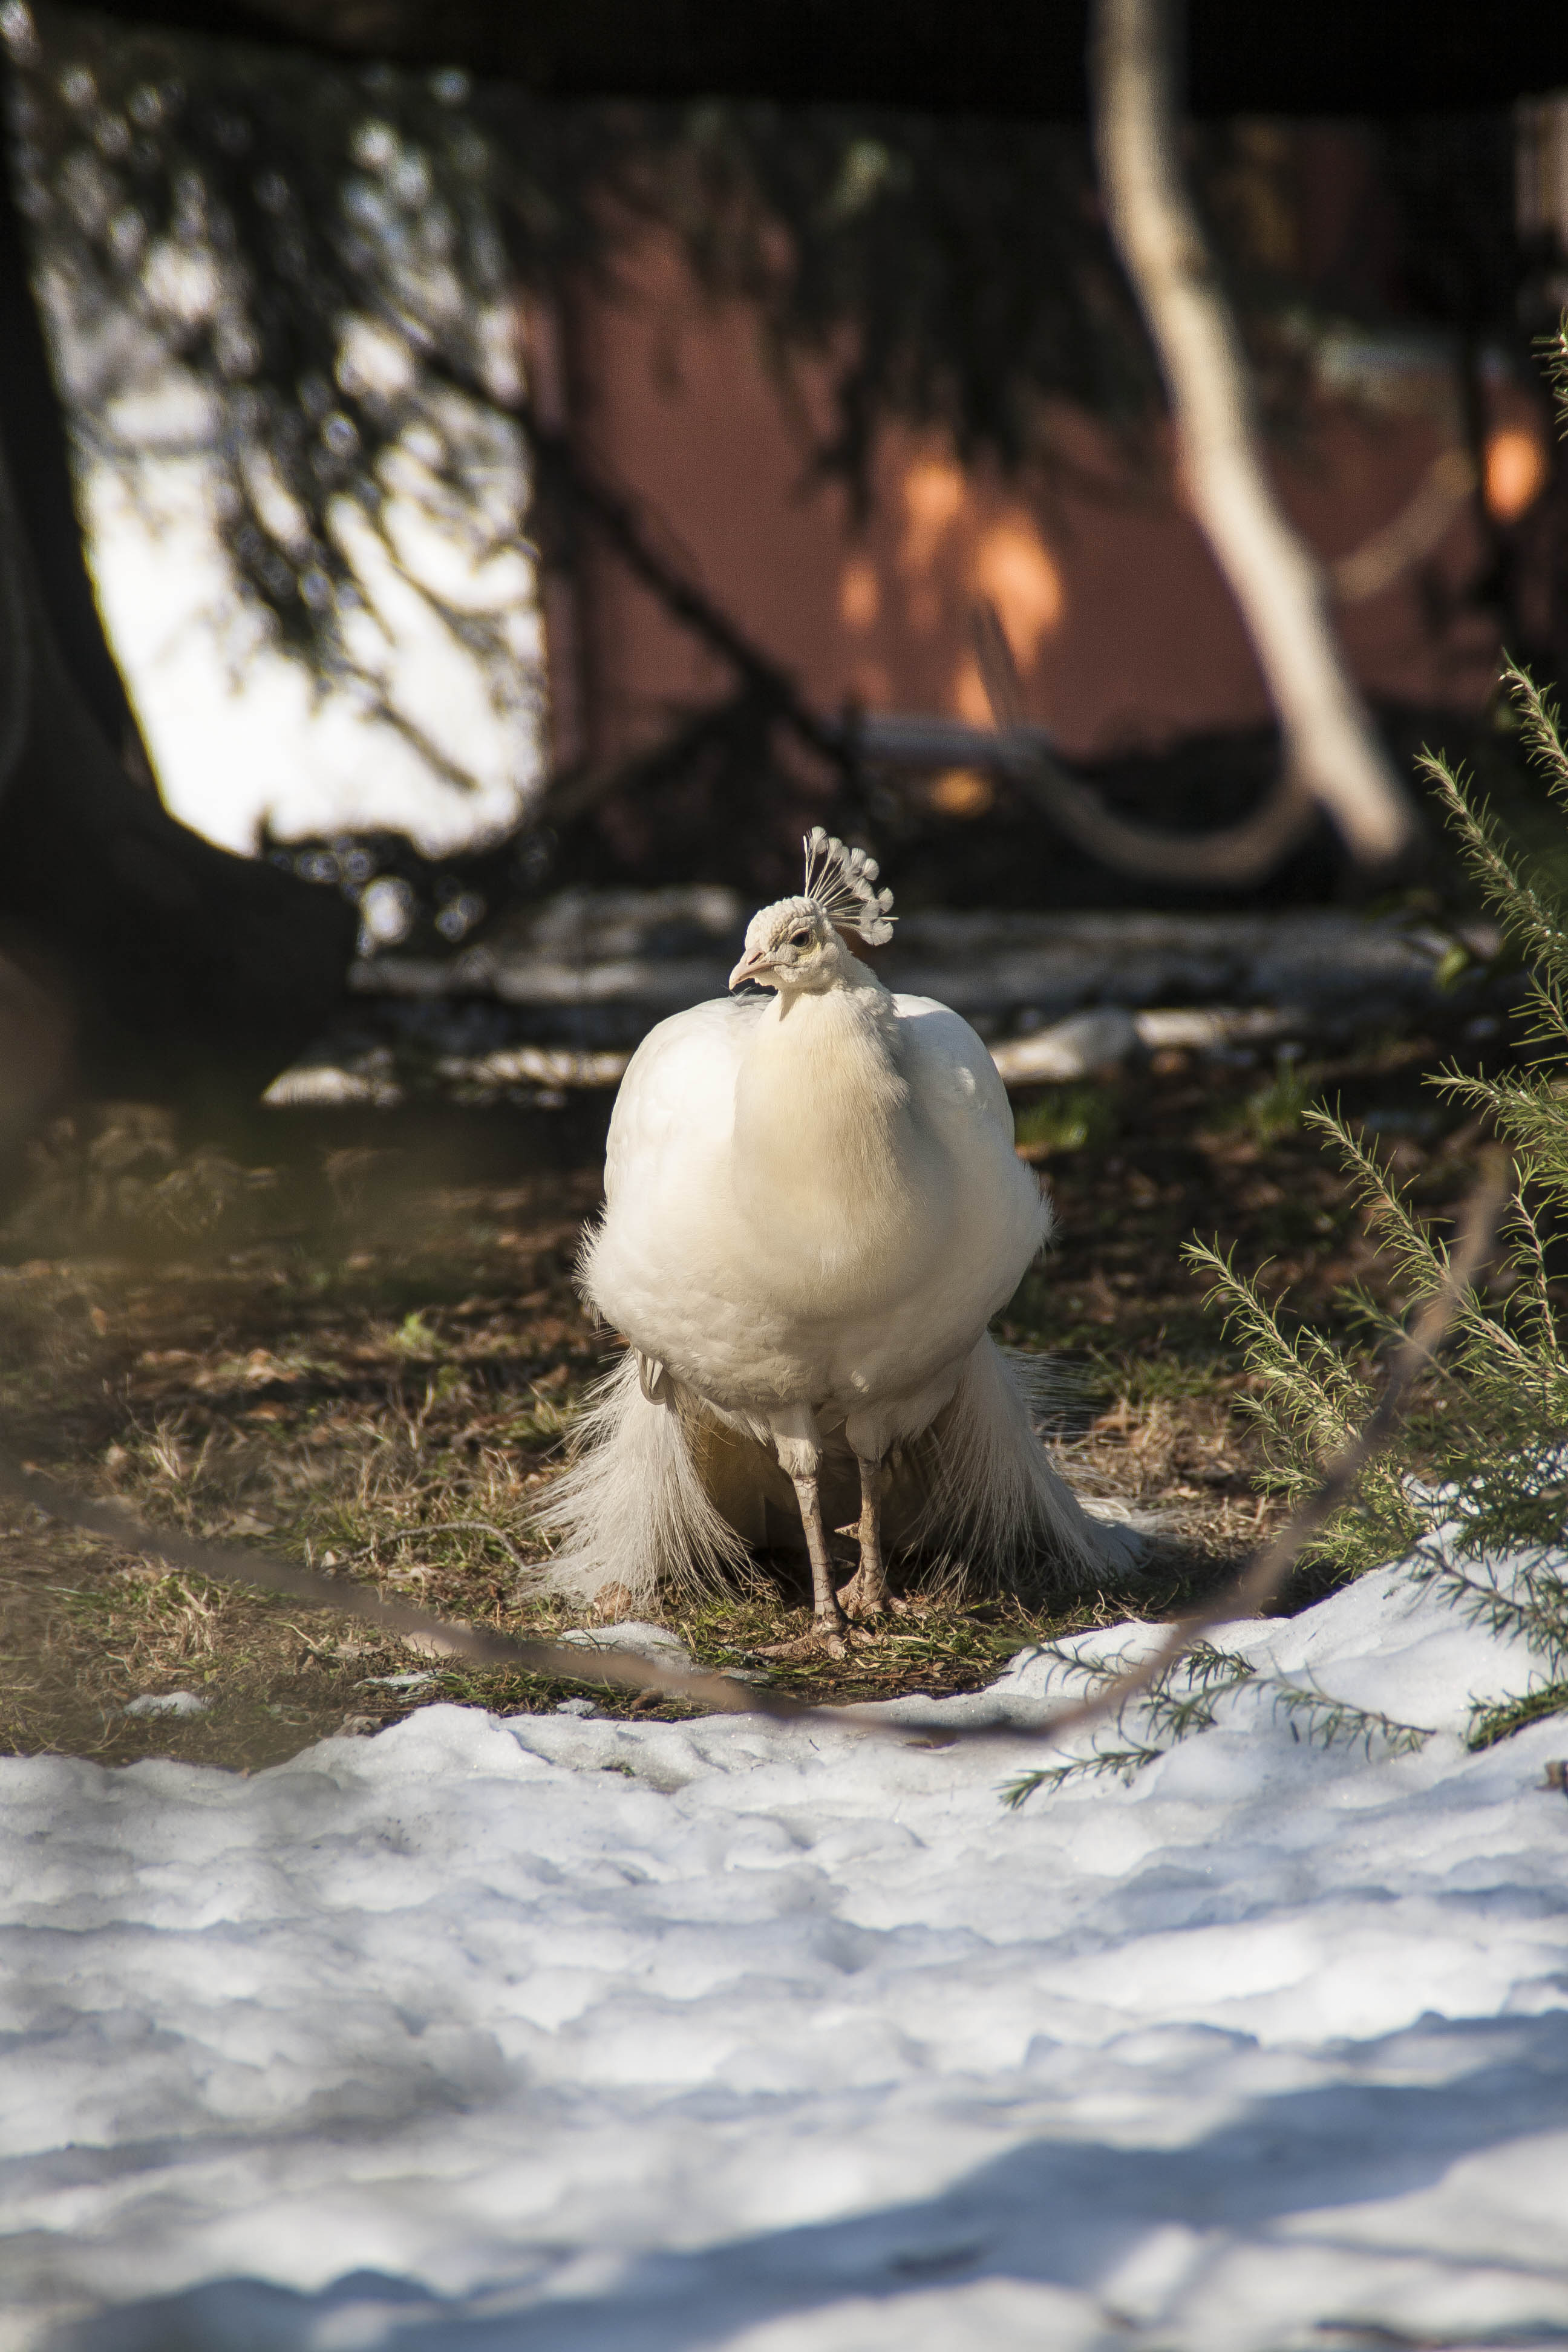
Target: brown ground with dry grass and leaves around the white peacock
x=359 y=1344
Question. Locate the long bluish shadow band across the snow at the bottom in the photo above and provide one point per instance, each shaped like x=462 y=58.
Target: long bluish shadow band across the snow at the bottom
x=1052 y=2212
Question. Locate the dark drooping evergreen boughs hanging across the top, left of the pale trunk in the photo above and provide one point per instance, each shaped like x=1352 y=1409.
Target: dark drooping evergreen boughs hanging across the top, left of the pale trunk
x=330 y=258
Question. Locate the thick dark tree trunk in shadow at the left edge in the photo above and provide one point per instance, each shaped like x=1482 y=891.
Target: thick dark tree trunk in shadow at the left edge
x=177 y=961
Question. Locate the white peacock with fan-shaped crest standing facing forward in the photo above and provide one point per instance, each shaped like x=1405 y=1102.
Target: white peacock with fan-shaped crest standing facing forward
x=812 y=1210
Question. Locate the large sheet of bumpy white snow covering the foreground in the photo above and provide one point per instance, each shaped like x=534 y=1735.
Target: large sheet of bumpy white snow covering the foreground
x=591 y=2036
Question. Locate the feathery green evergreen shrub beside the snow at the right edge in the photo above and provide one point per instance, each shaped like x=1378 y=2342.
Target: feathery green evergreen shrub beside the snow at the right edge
x=1477 y=1485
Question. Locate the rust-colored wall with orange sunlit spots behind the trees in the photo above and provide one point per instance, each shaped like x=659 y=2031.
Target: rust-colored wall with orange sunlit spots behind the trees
x=1120 y=622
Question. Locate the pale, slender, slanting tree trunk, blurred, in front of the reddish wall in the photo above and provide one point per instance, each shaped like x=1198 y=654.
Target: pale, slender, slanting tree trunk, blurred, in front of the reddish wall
x=1332 y=749
